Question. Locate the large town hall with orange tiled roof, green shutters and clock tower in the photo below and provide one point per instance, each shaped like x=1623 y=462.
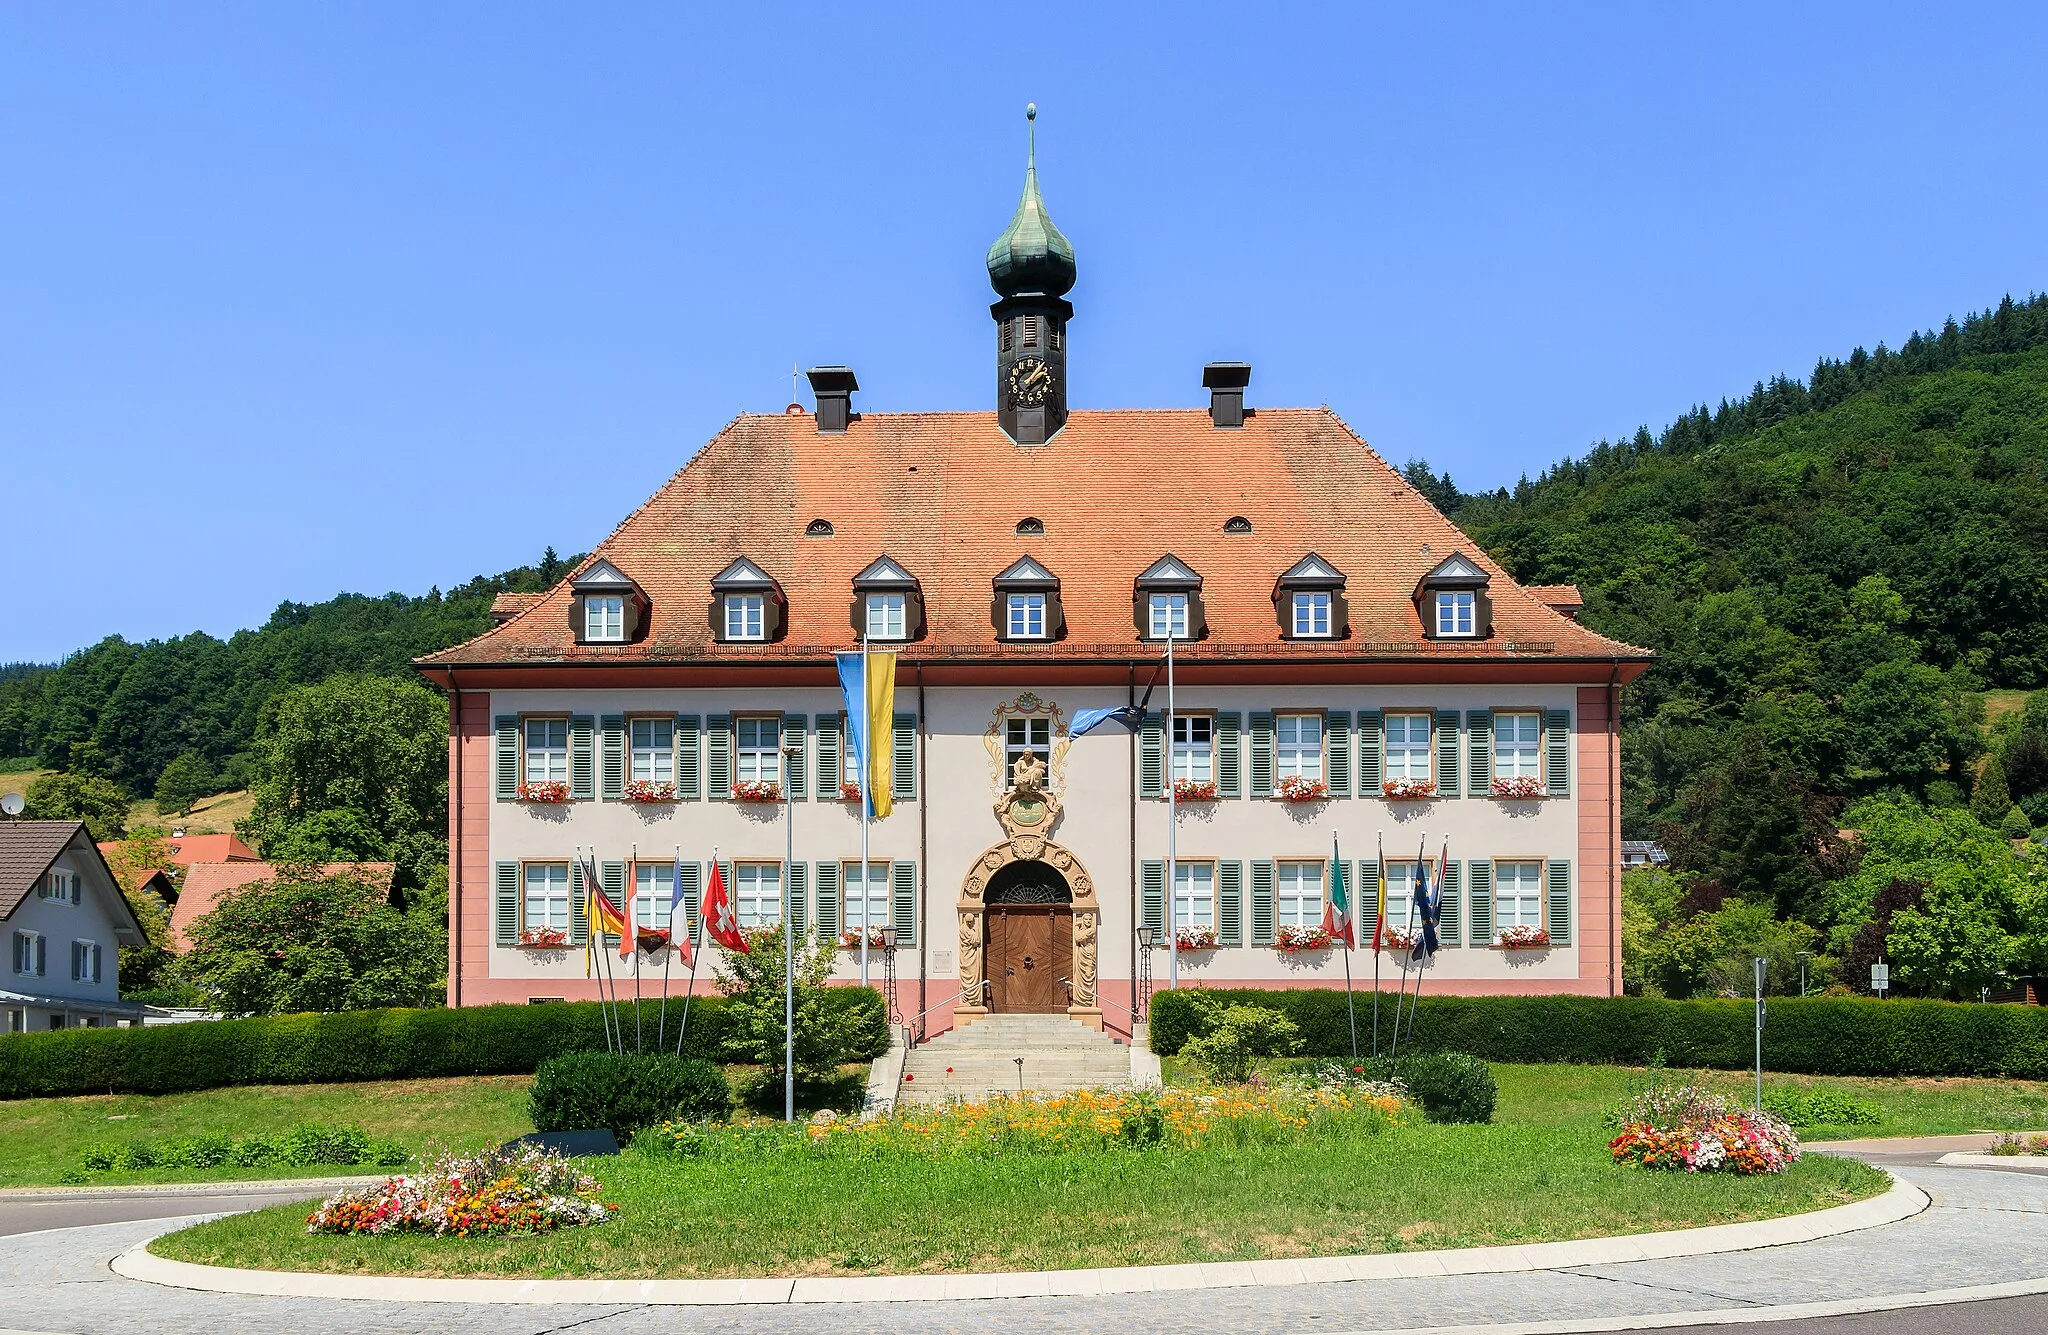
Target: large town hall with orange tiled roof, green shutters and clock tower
x=1357 y=687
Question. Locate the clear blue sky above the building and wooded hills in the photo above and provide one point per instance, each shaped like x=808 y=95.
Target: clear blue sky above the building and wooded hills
x=300 y=300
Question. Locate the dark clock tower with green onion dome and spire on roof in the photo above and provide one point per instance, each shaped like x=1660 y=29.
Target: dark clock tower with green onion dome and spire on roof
x=1031 y=269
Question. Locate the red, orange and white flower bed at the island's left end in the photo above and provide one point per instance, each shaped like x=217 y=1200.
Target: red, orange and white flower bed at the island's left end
x=505 y=1191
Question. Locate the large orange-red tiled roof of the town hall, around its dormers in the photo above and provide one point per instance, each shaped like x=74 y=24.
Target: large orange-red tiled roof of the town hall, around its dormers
x=1117 y=490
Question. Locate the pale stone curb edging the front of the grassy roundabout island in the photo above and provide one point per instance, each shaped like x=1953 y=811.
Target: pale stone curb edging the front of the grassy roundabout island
x=1902 y=1203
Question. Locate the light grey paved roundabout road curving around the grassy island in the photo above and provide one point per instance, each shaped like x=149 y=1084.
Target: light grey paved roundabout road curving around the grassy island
x=1986 y=1228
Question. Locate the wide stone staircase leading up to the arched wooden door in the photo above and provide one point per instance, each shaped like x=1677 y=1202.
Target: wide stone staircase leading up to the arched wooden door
x=1058 y=1053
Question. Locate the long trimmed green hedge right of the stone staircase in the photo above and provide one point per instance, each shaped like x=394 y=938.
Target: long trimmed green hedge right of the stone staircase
x=1803 y=1035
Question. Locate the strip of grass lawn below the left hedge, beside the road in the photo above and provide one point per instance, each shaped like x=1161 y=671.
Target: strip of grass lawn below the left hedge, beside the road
x=46 y=1135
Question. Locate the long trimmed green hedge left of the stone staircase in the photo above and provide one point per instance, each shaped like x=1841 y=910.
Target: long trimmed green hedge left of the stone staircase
x=359 y=1045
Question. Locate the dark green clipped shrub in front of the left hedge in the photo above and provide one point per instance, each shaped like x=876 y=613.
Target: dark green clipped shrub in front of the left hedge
x=628 y=1092
